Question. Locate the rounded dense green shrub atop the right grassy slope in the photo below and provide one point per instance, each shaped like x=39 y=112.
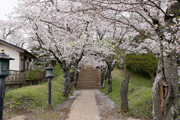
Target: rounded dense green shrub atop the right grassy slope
x=142 y=63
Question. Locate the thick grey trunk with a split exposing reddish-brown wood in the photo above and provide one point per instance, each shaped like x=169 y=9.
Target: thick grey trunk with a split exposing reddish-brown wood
x=165 y=90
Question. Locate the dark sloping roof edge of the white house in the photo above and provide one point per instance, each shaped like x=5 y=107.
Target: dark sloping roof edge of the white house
x=18 y=49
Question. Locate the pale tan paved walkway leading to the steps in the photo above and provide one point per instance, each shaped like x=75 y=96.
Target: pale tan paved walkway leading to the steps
x=84 y=107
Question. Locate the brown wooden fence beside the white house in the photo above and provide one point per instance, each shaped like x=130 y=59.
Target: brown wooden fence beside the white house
x=19 y=79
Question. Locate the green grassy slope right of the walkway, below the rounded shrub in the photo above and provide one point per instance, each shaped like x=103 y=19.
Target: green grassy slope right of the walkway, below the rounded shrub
x=139 y=94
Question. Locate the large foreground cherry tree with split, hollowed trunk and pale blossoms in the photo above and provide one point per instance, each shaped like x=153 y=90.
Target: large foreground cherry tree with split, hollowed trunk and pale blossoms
x=158 y=25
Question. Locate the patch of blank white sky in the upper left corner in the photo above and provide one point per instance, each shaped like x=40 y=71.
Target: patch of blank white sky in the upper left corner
x=6 y=7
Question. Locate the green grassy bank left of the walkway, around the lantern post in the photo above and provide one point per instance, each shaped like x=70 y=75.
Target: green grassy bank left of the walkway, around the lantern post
x=35 y=98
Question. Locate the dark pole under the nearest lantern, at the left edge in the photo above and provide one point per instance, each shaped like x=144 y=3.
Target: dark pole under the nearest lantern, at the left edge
x=2 y=92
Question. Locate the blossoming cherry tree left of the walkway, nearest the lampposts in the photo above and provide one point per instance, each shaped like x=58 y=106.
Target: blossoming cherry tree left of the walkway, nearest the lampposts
x=55 y=28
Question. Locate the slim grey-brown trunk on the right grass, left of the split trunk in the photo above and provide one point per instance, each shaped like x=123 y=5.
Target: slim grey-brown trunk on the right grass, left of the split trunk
x=124 y=93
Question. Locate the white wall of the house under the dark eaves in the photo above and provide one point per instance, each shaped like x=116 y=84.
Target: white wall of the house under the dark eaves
x=14 y=64
